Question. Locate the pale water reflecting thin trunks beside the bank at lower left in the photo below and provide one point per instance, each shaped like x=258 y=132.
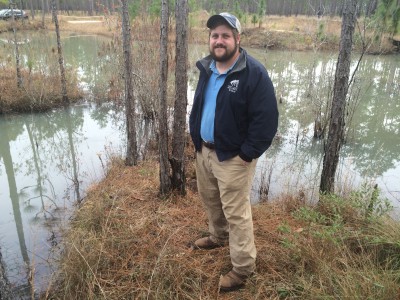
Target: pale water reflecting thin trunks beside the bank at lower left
x=47 y=162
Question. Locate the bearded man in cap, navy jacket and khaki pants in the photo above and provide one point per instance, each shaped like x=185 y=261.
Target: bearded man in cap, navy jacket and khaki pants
x=233 y=121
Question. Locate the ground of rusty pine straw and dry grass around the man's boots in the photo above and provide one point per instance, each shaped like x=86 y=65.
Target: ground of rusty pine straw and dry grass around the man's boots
x=127 y=243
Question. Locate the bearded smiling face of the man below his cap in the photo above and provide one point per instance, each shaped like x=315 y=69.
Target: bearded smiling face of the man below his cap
x=223 y=45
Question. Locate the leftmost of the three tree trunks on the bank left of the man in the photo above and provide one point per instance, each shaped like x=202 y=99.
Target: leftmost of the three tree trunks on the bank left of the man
x=131 y=151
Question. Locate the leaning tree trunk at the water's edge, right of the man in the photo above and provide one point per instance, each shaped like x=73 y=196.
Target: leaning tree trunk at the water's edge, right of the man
x=340 y=89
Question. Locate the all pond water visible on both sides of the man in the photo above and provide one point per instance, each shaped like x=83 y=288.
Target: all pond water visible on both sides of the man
x=48 y=160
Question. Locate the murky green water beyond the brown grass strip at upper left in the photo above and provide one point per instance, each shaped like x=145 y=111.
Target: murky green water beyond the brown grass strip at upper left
x=93 y=58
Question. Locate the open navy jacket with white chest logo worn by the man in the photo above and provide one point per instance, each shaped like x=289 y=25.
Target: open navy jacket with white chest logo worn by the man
x=246 y=113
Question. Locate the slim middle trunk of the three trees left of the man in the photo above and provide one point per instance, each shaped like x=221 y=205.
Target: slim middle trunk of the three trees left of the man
x=165 y=180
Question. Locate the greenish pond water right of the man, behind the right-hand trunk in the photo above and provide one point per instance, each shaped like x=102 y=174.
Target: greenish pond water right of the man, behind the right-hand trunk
x=304 y=81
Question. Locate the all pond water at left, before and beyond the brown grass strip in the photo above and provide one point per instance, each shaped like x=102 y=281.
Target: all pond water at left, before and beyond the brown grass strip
x=48 y=160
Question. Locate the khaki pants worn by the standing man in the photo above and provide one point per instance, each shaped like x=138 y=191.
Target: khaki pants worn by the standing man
x=225 y=190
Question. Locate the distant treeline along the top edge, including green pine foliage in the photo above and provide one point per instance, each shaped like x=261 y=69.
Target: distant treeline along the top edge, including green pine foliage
x=382 y=15
